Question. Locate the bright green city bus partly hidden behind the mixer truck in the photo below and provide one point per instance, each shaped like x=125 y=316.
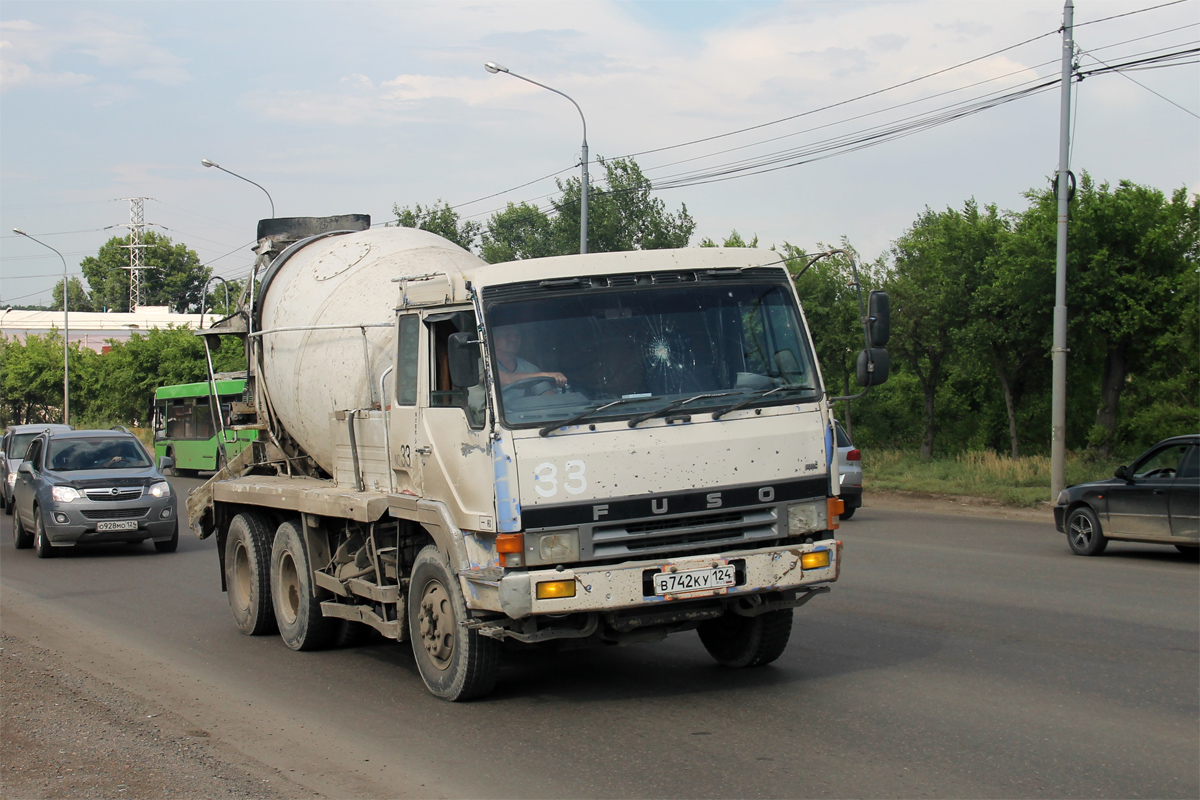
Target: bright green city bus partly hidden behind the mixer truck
x=188 y=430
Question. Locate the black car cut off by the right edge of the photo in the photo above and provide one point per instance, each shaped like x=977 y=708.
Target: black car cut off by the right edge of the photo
x=1155 y=501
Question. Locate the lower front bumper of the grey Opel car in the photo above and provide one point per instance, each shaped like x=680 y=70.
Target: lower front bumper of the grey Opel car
x=75 y=524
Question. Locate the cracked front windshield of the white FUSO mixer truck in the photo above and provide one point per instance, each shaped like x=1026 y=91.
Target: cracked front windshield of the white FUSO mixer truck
x=573 y=358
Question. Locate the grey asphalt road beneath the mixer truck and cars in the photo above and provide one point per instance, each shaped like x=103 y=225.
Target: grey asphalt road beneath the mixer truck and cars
x=958 y=657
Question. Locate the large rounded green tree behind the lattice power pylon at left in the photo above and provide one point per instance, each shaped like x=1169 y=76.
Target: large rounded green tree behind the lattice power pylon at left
x=172 y=276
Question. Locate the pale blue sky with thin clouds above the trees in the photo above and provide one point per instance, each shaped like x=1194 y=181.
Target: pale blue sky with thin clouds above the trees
x=795 y=122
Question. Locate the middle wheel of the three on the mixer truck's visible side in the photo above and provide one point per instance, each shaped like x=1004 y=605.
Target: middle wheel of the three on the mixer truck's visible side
x=297 y=611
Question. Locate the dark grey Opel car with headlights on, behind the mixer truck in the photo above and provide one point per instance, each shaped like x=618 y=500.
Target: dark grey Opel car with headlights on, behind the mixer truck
x=79 y=488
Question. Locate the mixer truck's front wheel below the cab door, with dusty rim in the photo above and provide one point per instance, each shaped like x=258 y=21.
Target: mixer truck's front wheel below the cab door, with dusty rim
x=457 y=663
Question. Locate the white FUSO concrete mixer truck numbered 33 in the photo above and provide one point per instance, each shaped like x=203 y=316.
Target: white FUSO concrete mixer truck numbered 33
x=601 y=449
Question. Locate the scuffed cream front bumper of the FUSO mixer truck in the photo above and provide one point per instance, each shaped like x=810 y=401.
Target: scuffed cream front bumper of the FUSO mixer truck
x=627 y=586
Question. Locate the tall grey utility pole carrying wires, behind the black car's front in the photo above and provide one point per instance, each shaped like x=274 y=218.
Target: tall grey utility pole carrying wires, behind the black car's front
x=1059 y=352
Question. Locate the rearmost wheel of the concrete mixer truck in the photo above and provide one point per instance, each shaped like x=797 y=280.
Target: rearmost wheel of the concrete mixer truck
x=248 y=574
